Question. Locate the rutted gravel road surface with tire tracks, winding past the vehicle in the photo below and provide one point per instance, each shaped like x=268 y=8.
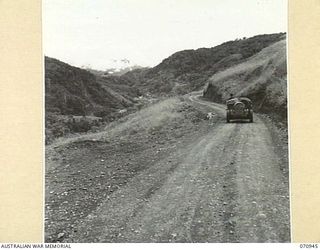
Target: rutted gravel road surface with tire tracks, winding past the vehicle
x=200 y=192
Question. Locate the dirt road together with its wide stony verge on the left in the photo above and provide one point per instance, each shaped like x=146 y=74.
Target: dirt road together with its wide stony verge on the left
x=209 y=182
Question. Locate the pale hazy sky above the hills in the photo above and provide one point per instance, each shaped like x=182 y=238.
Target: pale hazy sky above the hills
x=100 y=32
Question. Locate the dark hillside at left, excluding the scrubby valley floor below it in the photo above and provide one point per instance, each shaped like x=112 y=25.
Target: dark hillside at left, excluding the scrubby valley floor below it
x=71 y=90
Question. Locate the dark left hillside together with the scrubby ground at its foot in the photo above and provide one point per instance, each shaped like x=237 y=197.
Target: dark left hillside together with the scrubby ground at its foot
x=71 y=92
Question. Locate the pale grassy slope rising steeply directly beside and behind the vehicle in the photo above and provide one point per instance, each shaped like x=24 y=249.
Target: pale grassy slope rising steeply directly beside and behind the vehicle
x=262 y=77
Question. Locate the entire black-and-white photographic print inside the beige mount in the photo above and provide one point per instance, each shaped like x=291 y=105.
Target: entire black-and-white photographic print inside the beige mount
x=166 y=121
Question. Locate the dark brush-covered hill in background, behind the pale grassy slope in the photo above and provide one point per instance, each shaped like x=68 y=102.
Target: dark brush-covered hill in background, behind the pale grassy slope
x=188 y=70
